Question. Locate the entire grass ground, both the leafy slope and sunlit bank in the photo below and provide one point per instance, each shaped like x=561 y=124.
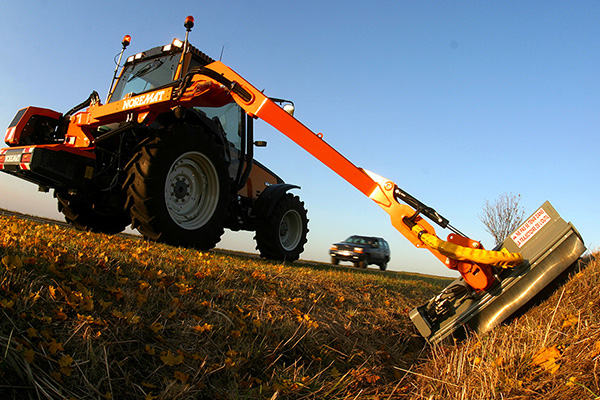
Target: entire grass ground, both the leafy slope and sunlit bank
x=88 y=316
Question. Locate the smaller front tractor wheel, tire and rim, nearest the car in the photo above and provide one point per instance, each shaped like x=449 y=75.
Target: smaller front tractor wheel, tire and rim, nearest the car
x=282 y=235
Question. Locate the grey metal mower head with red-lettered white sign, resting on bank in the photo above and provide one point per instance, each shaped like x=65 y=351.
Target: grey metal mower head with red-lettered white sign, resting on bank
x=549 y=246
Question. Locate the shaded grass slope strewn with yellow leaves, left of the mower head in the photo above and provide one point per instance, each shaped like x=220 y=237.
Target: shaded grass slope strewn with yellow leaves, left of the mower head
x=88 y=316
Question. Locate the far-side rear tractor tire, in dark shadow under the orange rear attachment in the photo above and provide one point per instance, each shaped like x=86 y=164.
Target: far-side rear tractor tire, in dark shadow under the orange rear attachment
x=91 y=214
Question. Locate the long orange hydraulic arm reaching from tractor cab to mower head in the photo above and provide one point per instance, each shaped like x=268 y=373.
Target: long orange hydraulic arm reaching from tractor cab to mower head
x=458 y=252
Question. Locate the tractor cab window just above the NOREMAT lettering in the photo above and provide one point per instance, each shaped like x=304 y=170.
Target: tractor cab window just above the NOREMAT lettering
x=147 y=75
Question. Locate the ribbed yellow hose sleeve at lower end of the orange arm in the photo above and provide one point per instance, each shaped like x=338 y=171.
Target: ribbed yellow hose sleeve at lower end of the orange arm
x=503 y=258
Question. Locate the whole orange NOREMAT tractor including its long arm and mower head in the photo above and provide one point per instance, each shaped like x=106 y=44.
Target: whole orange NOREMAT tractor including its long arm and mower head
x=171 y=153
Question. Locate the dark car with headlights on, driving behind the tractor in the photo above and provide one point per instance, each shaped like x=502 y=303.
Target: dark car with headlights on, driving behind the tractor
x=362 y=251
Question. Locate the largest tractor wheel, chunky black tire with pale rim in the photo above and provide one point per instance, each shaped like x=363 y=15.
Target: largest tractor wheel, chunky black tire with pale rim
x=179 y=188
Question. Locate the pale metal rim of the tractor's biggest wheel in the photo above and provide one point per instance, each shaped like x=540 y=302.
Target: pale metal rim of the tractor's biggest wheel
x=192 y=190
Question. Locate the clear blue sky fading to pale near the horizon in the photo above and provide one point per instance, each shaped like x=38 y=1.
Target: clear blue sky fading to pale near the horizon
x=455 y=101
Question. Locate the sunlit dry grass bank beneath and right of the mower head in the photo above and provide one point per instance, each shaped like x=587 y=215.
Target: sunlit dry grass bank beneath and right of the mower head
x=551 y=352
